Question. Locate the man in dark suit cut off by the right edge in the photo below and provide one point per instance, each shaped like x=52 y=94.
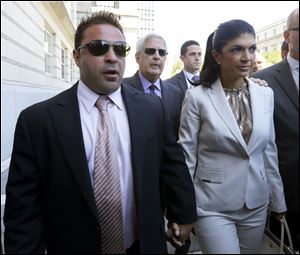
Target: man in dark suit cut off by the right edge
x=283 y=78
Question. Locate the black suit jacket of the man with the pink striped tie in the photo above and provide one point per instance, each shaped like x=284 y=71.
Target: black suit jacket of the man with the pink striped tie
x=49 y=197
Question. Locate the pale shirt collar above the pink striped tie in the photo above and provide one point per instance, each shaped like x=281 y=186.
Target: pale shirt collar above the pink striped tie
x=89 y=97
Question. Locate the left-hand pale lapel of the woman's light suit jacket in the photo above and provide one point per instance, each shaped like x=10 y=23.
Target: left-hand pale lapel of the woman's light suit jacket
x=219 y=101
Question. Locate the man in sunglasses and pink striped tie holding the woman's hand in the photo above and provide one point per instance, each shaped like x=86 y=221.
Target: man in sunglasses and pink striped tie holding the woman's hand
x=51 y=201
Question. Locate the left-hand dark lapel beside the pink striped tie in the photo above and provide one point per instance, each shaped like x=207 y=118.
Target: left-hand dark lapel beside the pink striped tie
x=66 y=119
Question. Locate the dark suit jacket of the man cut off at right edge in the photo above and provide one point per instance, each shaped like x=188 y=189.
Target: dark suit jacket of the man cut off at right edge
x=286 y=120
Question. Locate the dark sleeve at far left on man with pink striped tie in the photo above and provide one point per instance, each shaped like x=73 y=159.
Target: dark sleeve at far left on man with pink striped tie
x=23 y=220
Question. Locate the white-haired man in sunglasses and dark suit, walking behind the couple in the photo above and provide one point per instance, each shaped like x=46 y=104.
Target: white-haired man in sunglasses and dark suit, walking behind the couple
x=151 y=52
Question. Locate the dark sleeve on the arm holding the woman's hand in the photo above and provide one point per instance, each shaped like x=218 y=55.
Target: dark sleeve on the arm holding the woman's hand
x=178 y=185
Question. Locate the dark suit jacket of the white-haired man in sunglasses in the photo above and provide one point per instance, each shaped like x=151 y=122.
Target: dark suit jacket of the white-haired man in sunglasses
x=171 y=97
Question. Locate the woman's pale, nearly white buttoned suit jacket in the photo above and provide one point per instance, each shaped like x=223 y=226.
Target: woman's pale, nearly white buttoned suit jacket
x=227 y=172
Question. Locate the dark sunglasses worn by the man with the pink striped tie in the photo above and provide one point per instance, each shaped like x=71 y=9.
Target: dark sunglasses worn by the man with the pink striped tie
x=101 y=47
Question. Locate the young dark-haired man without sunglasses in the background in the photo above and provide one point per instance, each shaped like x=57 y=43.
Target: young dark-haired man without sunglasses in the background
x=190 y=55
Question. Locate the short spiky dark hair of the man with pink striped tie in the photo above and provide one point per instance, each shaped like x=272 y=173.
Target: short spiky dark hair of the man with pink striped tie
x=101 y=17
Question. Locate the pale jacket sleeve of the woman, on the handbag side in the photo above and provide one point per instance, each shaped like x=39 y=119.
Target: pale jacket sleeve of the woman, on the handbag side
x=277 y=200
